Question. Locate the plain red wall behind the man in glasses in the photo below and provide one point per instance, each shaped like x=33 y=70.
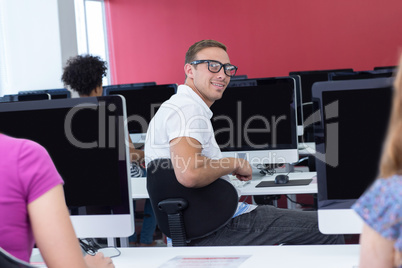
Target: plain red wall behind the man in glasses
x=148 y=38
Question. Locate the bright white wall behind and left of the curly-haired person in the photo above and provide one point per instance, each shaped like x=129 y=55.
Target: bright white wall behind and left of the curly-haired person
x=31 y=52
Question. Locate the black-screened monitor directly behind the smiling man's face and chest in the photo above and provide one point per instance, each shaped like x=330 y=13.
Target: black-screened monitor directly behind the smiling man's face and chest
x=258 y=122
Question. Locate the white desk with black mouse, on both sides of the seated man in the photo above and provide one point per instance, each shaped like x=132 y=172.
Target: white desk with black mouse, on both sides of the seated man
x=139 y=190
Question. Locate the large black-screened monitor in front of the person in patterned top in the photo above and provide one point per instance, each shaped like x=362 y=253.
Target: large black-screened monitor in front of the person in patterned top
x=349 y=138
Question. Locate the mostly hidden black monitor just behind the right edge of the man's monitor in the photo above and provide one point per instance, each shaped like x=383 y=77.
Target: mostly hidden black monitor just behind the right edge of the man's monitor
x=307 y=79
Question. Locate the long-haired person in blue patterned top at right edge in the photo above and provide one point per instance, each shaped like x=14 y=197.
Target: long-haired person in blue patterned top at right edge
x=380 y=206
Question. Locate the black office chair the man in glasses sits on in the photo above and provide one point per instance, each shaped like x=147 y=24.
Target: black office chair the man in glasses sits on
x=184 y=214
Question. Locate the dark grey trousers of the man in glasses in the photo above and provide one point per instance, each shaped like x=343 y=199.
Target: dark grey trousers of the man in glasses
x=268 y=225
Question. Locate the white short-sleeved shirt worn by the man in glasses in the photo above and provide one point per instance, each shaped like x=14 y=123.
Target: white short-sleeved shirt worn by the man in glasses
x=185 y=114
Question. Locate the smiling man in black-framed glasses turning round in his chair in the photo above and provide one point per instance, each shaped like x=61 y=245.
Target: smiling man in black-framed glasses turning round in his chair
x=182 y=131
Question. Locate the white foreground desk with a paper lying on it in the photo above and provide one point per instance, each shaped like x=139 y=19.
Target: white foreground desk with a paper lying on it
x=311 y=256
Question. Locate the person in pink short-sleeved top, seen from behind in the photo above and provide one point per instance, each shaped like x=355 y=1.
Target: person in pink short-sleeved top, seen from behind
x=33 y=209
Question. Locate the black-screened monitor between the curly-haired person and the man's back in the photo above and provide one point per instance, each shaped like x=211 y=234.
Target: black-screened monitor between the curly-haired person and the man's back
x=142 y=104
